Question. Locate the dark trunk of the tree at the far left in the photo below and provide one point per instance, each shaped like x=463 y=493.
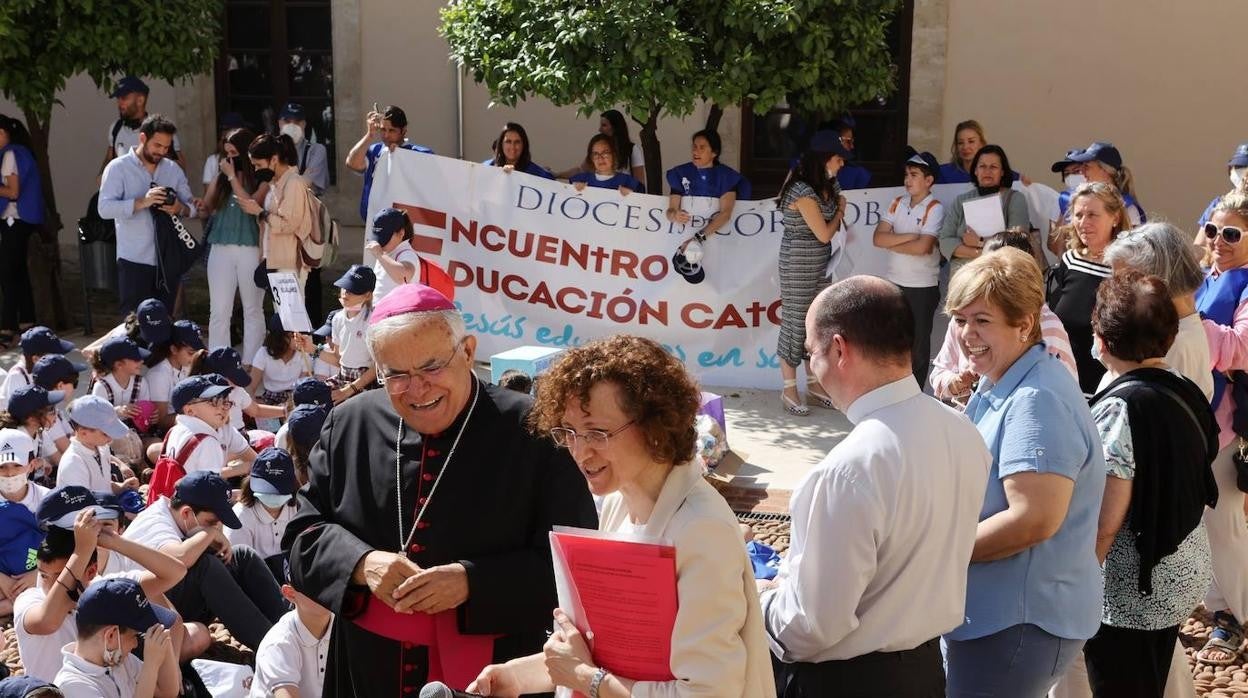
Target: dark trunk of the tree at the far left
x=46 y=257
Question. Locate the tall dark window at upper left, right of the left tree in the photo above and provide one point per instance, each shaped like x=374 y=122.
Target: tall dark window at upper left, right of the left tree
x=279 y=52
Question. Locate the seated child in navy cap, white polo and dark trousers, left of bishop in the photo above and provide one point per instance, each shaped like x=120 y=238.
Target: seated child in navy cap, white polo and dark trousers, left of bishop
x=189 y=526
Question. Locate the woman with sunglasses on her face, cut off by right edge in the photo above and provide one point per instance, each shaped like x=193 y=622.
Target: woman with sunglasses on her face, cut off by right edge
x=1222 y=302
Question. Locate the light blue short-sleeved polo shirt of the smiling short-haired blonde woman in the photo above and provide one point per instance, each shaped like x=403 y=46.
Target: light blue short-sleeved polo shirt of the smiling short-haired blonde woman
x=1036 y=420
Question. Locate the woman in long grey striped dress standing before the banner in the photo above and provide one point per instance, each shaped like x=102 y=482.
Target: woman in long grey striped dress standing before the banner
x=813 y=209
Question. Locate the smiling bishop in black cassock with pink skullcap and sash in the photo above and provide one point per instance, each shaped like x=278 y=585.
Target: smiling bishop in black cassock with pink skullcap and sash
x=490 y=491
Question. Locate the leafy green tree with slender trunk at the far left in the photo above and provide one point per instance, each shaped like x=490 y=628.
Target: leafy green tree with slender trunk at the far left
x=44 y=43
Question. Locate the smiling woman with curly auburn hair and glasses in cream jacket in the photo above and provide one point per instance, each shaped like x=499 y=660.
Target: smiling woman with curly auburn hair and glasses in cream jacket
x=626 y=409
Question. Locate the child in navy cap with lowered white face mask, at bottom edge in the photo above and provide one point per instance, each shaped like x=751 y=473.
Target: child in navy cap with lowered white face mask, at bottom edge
x=110 y=619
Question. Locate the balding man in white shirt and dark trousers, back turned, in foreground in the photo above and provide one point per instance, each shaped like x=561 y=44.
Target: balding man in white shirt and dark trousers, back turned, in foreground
x=883 y=529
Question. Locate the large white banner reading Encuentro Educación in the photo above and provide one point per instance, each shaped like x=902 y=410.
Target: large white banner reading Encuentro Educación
x=537 y=263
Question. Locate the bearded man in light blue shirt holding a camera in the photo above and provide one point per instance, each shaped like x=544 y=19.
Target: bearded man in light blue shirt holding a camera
x=145 y=179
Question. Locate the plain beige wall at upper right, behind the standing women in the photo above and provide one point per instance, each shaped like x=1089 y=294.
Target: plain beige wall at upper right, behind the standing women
x=1160 y=79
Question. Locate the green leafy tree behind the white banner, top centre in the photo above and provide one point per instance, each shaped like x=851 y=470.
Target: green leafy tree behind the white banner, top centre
x=662 y=58
